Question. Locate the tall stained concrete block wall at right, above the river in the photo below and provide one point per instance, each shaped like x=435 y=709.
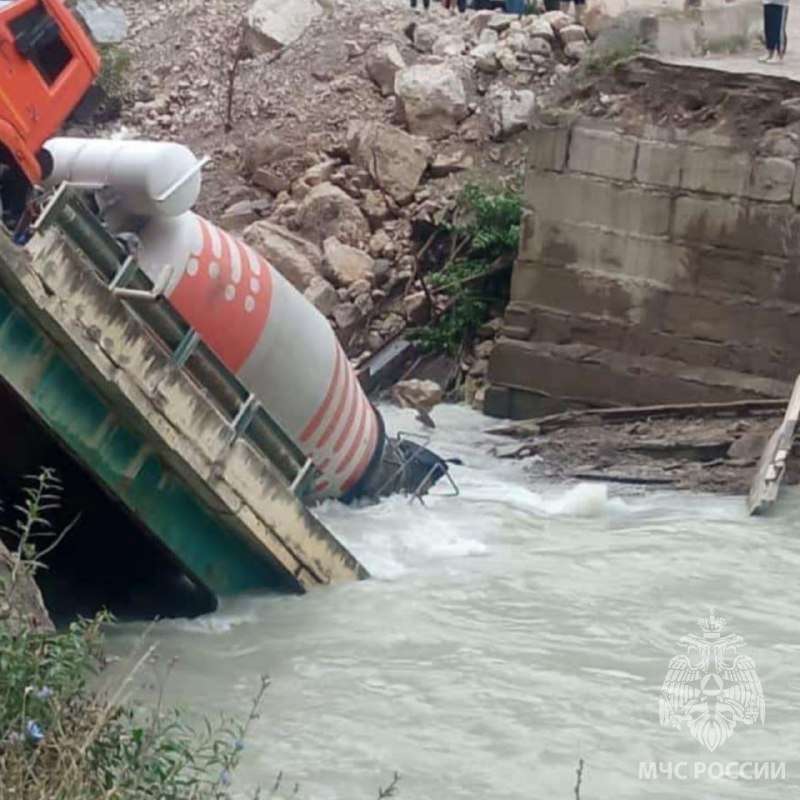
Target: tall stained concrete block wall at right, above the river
x=665 y=253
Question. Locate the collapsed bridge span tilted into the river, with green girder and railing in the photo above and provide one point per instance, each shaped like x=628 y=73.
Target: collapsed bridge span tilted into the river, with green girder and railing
x=161 y=426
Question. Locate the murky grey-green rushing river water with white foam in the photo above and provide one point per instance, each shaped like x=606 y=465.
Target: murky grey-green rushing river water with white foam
x=506 y=634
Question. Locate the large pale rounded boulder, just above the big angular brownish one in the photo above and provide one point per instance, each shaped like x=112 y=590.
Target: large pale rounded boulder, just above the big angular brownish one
x=432 y=99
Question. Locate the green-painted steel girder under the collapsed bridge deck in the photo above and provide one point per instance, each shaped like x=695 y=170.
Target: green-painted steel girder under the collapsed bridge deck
x=122 y=461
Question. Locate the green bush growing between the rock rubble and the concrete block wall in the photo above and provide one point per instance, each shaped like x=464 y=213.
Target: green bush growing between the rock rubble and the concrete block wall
x=484 y=235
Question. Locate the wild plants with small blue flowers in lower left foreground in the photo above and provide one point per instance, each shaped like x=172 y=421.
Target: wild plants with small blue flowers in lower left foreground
x=60 y=739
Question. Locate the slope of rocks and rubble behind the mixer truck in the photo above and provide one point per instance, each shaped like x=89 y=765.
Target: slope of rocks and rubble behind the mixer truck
x=353 y=127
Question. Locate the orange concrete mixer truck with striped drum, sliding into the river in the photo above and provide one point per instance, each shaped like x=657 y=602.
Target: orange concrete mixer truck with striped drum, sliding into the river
x=279 y=346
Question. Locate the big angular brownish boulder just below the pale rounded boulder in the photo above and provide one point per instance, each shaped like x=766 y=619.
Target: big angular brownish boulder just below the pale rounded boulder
x=395 y=159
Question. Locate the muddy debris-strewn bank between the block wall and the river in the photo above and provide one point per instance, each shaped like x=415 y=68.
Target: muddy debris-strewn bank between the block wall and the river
x=690 y=450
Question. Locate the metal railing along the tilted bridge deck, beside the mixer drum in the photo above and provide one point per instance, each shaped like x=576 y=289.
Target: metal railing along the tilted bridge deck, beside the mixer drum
x=120 y=272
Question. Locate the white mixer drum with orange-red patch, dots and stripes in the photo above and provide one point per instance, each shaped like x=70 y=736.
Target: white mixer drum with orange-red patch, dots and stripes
x=280 y=347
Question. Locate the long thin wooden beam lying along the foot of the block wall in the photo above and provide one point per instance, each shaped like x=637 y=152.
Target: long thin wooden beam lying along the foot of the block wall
x=633 y=413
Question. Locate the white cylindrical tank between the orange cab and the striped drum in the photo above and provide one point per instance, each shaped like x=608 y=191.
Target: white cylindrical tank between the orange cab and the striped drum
x=147 y=178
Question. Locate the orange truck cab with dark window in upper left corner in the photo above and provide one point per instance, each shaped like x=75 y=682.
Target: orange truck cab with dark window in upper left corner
x=47 y=65
